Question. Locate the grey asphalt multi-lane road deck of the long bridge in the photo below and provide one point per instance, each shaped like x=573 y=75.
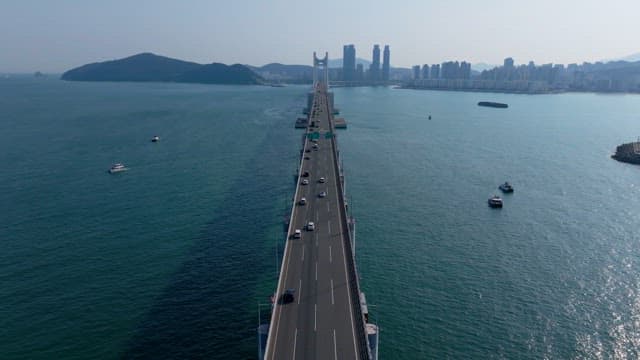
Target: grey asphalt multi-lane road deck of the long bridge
x=321 y=322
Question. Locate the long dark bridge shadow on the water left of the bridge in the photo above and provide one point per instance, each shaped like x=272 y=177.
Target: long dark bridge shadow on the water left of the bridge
x=209 y=308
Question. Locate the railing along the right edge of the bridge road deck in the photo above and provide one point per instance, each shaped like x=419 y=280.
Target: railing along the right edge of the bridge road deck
x=363 y=340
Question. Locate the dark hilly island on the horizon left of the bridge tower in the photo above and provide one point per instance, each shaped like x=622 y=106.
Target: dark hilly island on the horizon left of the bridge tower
x=150 y=67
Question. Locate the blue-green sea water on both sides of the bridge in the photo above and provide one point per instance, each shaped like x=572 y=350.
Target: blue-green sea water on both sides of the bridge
x=174 y=257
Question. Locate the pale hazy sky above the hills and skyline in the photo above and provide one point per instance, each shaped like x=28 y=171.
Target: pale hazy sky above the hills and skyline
x=55 y=35
